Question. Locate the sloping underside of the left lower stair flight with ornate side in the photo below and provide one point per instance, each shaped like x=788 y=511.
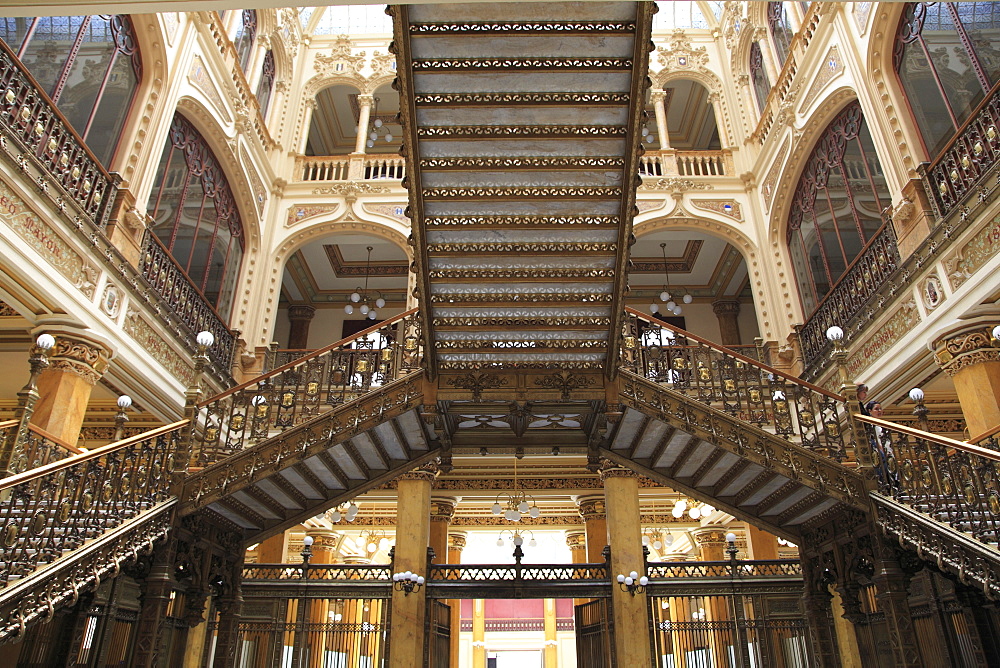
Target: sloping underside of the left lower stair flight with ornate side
x=330 y=459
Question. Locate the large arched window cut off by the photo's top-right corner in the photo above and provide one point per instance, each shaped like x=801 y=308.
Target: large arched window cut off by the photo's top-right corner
x=947 y=60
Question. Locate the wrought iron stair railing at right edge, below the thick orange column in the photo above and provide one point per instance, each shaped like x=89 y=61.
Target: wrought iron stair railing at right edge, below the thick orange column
x=952 y=481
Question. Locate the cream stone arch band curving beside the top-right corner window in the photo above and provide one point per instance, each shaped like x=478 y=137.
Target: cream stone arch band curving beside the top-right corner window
x=892 y=108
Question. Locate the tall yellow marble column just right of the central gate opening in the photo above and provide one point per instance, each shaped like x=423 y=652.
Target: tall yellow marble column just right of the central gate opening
x=621 y=491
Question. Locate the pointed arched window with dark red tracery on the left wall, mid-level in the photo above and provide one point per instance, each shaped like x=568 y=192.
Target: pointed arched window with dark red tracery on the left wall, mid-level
x=195 y=215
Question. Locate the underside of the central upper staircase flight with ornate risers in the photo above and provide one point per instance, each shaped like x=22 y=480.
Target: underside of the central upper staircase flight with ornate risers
x=521 y=130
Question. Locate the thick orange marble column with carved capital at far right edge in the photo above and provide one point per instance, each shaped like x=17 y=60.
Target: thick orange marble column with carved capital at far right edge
x=968 y=355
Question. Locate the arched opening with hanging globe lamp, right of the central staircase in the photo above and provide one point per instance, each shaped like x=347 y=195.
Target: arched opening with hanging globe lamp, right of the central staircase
x=705 y=280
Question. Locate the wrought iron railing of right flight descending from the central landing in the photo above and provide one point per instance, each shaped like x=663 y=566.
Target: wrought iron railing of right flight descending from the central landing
x=738 y=385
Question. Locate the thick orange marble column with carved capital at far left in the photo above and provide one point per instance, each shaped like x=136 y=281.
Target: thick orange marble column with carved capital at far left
x=76 y=363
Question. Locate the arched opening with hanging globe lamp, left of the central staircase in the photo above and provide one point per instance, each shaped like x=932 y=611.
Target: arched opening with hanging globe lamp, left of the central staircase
x=319 y=280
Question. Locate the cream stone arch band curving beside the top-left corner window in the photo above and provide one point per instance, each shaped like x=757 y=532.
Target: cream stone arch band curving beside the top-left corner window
x=135 y=150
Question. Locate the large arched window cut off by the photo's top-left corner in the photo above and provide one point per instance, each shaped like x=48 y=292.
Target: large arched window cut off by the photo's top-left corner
x=88 y=65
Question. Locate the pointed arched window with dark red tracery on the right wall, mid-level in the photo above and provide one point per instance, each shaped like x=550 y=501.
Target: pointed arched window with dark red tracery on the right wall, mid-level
x=836 y=209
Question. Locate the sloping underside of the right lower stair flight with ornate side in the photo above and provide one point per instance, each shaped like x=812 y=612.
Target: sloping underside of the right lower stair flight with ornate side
x=713 y=456
